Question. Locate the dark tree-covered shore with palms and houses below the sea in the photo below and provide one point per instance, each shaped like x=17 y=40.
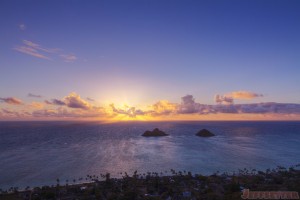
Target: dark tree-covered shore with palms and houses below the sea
x=178 y=185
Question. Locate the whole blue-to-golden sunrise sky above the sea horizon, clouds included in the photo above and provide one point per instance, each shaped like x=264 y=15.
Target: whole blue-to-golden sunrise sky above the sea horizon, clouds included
x=149 y=60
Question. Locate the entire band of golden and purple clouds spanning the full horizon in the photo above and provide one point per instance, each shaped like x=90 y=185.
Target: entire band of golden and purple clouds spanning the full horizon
x=73 y=106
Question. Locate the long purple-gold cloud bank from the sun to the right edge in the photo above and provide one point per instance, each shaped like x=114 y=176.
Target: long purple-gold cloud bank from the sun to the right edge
x=225 y=105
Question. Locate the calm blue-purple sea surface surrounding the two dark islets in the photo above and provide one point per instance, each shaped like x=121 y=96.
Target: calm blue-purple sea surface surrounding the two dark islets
x=37 y=153
